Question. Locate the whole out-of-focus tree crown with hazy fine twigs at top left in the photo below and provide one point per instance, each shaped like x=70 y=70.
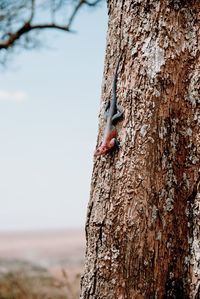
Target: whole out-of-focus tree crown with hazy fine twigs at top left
x=21 y=21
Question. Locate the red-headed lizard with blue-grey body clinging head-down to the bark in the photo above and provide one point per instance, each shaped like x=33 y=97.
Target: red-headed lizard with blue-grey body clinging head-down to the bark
x=112 y=114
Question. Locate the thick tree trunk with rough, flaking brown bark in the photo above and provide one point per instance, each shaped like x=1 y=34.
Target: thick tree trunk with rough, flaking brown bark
x=143 y=218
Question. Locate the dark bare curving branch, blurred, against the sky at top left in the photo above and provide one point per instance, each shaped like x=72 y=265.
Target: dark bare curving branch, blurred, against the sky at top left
x=12 y=18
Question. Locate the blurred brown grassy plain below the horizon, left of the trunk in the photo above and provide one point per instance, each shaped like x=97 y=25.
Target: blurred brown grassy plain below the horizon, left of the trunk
x=41 y=265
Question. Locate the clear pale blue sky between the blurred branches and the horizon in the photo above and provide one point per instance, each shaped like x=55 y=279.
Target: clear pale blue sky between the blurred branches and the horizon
x=49 y=104
